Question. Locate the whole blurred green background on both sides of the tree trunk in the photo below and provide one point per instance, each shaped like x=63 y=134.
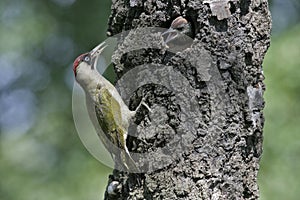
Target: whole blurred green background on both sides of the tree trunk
x=41 y=156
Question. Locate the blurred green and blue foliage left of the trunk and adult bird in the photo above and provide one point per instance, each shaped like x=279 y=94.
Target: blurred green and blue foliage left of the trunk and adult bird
x=41 y=154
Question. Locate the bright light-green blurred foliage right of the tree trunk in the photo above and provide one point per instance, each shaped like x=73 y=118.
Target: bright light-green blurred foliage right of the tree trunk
x=280 y=166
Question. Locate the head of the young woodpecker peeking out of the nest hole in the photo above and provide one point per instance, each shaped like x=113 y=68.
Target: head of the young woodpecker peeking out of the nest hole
x=178 y=27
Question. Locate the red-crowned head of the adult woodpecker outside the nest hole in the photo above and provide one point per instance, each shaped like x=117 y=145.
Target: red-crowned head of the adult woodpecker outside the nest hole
x=84 y=67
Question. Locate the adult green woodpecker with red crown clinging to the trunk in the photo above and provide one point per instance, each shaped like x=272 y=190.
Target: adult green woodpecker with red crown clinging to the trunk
x=106 y=108
